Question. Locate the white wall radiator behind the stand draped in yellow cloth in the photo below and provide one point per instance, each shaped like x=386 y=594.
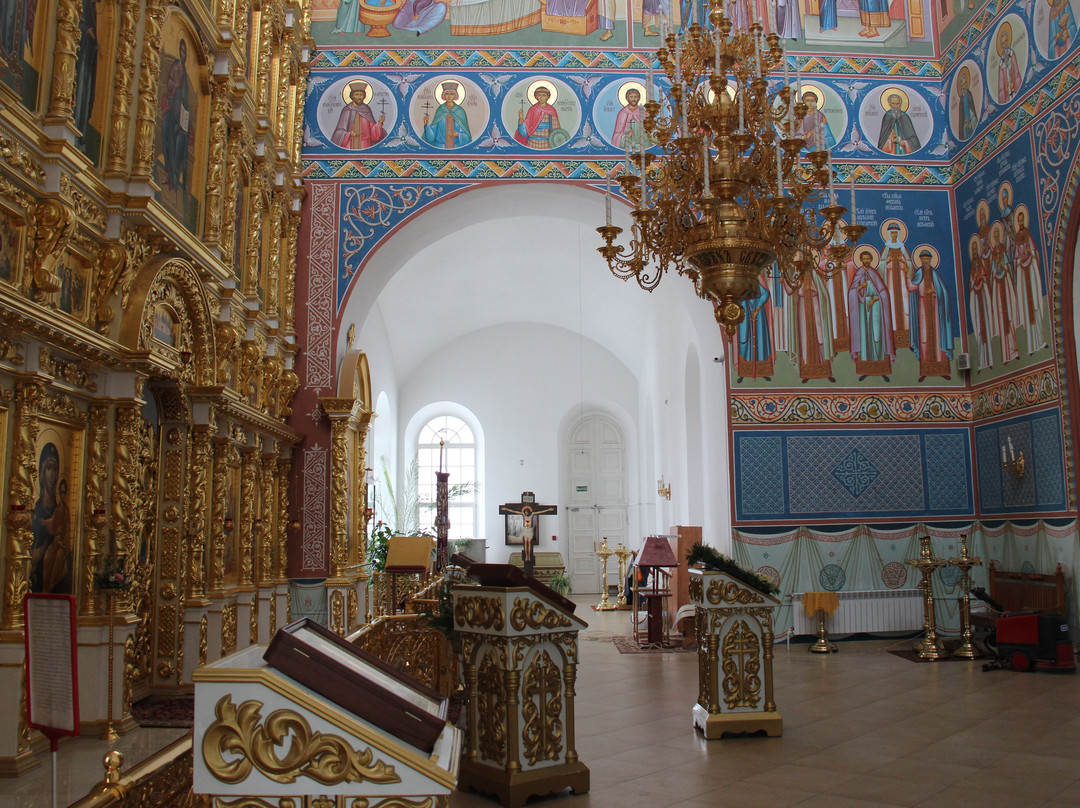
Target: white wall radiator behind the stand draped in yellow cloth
x=895 y=610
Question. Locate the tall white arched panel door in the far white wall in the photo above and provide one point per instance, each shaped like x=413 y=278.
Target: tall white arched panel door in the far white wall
x=598 y=499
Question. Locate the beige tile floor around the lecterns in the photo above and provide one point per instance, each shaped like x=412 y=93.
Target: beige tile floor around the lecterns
x=862 y=729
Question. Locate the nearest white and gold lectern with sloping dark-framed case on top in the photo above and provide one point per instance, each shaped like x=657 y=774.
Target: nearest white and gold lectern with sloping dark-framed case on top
x=341 y=725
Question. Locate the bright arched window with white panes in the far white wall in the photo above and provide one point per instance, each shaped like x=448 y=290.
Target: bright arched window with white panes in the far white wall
x=449 y=441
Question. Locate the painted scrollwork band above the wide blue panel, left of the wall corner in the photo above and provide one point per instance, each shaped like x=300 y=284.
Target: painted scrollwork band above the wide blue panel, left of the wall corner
x=850 y=409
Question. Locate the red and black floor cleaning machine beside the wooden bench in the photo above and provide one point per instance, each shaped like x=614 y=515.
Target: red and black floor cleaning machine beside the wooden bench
x=1030 y=641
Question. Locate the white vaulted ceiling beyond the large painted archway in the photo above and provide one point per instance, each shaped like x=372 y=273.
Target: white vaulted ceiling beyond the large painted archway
x=499 y=257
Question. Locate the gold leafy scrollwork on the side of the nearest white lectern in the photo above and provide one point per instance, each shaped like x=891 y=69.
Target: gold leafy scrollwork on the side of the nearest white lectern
x=240 y=742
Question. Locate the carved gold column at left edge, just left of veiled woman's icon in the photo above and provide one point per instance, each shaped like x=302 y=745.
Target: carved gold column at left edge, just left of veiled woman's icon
x=24 y=473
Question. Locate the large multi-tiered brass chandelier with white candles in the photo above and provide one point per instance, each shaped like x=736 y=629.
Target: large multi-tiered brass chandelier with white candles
x=732 y=192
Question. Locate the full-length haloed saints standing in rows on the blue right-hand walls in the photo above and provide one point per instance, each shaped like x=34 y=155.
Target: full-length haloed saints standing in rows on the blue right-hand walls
x=883 y=302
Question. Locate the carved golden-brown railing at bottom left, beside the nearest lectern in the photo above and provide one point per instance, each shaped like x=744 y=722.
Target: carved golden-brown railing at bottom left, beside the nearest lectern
x=163 y=780
